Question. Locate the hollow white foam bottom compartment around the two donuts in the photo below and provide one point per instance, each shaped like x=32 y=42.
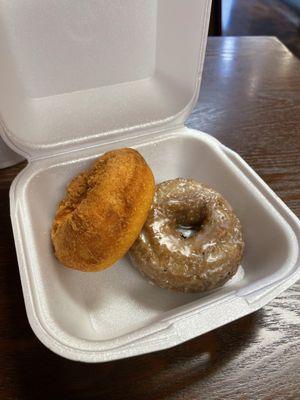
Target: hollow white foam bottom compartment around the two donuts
x=116 y=304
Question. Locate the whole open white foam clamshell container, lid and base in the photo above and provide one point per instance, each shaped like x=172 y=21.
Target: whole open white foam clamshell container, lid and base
x=81 y=78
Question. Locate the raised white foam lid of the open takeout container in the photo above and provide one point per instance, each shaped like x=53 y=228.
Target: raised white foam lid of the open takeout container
x=74 y=72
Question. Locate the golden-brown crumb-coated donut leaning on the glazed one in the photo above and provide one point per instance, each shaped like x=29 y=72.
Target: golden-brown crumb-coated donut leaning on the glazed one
x=103 y=212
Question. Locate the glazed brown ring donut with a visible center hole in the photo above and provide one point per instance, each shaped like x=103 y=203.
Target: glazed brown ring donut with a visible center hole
x=192 y=240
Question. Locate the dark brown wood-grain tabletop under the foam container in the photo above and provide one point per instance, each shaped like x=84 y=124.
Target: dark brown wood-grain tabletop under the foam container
x=250 y=100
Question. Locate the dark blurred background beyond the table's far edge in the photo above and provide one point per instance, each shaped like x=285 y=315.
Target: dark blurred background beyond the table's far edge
x=280 y=18
